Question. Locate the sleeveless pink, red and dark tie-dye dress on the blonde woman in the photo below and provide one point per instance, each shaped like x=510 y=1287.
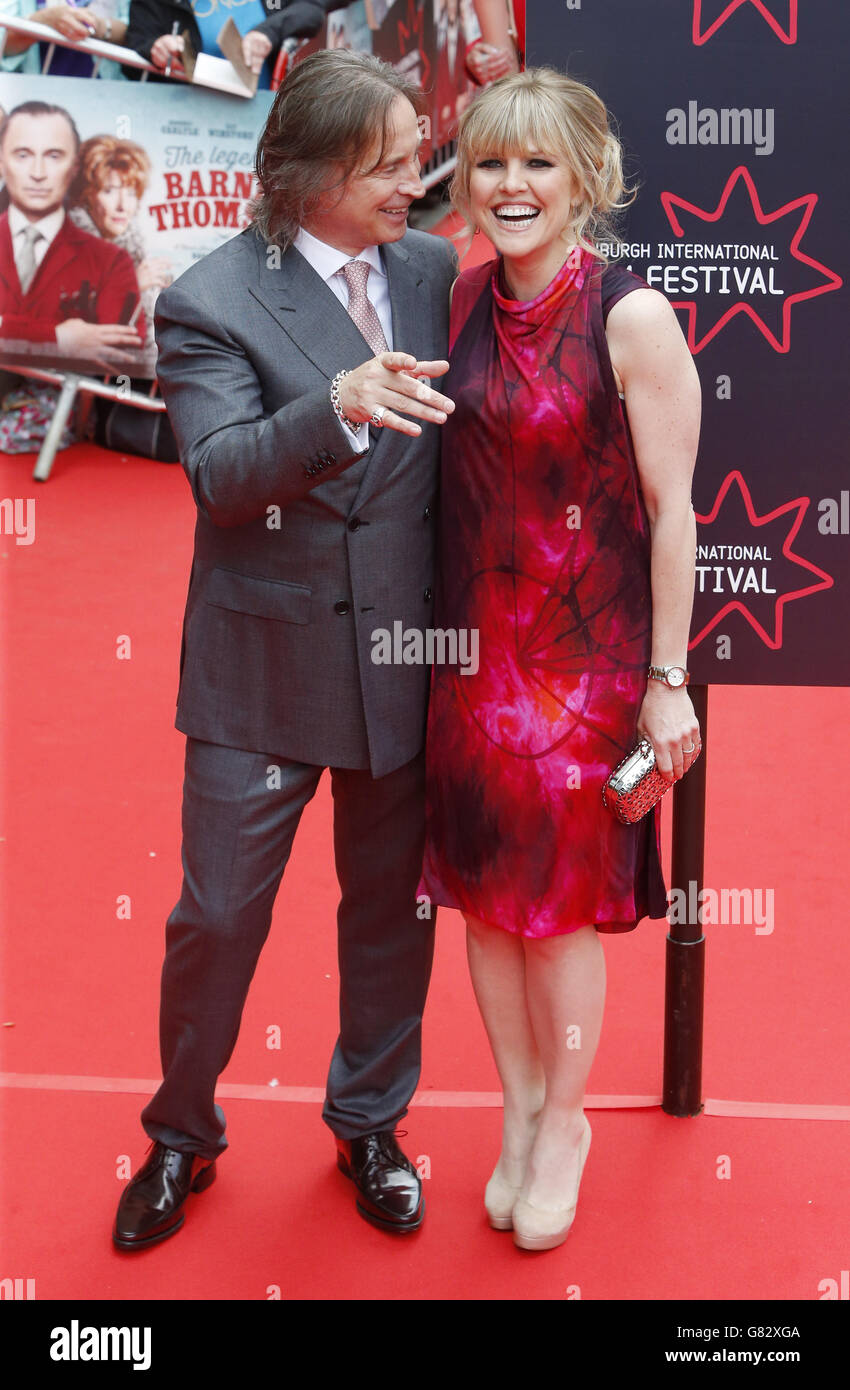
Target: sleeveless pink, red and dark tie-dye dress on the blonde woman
x=545 y=580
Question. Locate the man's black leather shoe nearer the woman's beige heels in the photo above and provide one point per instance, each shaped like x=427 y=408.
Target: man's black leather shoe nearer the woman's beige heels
x=390 y=1193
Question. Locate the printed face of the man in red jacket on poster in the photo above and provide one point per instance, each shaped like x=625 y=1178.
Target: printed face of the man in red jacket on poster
x=38 y=161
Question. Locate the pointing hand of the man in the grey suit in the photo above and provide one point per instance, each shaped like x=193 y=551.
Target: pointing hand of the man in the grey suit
x=397 y=382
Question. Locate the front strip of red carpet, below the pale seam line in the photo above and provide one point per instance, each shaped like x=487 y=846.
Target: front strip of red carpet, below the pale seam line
x=655 y=1223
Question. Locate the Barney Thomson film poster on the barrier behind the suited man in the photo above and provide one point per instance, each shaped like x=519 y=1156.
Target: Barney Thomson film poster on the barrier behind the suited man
x=160 y=177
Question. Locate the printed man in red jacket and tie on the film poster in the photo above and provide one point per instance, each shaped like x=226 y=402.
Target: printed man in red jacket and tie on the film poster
x=63 y=293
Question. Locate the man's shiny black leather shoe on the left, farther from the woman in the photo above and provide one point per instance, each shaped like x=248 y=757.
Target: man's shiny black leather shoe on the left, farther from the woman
x=152 y=1204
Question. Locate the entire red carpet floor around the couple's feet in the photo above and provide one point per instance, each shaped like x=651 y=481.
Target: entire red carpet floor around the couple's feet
x=91 y=819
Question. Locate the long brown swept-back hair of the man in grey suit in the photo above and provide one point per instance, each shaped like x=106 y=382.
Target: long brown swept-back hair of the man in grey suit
x=331 y=119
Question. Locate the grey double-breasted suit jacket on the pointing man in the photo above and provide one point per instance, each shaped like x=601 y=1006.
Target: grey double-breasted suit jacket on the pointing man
x=302 y=548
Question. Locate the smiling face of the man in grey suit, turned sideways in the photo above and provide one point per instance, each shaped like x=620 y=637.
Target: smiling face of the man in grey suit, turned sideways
x=374 y=204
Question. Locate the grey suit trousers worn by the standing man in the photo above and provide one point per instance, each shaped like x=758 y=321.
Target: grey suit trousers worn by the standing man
x=238 y=835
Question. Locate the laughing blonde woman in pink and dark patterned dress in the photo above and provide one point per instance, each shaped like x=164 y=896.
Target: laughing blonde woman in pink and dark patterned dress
x=567 y=564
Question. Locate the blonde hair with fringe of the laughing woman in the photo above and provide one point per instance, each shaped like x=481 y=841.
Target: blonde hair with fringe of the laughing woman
x=545 y=111
